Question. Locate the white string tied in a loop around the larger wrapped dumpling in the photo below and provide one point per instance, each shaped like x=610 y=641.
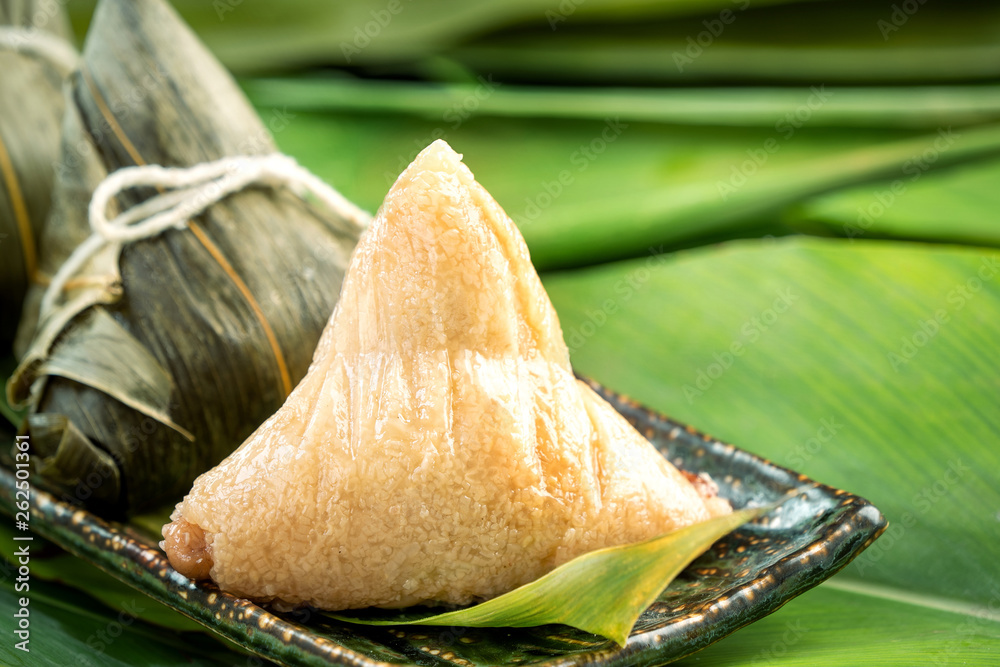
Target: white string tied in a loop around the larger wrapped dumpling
x=190 y=190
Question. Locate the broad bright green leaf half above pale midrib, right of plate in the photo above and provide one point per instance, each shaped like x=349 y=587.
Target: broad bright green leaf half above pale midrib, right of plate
x=819 y=388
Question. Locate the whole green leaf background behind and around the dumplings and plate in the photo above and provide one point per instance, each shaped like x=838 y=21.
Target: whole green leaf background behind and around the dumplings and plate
x=777 y=221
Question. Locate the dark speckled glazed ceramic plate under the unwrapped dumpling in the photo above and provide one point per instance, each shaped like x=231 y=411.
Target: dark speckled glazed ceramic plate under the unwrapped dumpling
x=745 y=576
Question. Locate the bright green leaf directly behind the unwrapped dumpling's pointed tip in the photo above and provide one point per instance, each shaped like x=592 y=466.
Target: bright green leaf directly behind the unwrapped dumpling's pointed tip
x=654 y=185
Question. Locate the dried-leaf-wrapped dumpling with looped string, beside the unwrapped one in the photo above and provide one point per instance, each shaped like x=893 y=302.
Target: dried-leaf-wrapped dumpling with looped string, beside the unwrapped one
x=161 y=355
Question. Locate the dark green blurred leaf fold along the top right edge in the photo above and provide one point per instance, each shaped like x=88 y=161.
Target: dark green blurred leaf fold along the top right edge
x=860 y=43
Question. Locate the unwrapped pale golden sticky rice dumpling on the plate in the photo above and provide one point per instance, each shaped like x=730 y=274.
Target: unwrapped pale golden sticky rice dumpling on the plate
x=440 y=448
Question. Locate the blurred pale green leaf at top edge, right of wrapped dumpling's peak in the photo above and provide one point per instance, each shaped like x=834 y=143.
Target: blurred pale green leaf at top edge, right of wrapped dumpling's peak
x=255 y=35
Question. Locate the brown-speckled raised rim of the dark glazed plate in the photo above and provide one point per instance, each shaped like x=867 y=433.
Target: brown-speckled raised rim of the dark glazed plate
x=293 y=644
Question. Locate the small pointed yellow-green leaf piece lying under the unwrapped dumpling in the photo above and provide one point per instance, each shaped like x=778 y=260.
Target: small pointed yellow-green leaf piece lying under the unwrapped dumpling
x=621 y=582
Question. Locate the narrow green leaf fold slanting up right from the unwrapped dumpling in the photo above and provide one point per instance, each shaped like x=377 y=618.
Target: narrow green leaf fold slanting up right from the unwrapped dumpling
x=736 y=195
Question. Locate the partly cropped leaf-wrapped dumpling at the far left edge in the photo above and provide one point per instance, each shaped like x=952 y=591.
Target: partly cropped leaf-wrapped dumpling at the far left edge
x=31 y=108
